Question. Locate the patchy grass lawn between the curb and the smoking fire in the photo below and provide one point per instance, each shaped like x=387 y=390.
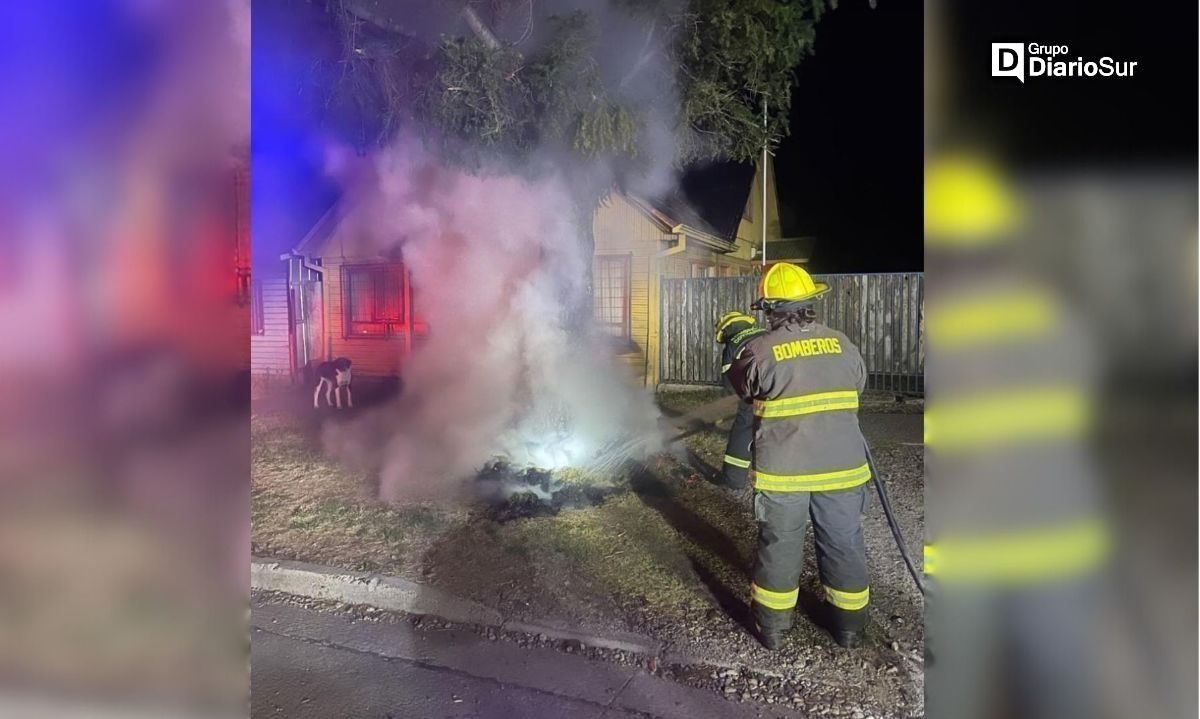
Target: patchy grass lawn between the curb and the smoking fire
x=643 y=547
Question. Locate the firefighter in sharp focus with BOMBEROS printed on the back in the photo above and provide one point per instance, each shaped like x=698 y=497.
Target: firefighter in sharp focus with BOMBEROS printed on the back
x=805 y=380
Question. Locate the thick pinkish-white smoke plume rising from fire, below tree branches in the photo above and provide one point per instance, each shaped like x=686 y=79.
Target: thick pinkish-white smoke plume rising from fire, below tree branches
x=496 y=261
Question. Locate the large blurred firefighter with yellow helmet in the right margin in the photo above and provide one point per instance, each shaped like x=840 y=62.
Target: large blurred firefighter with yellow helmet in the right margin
x=1016 y=535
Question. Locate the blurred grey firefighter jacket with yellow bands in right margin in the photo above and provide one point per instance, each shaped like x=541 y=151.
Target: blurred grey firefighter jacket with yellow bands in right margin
x=1013 y=495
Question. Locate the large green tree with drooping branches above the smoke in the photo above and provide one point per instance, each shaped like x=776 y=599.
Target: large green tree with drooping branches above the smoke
x=503 y=82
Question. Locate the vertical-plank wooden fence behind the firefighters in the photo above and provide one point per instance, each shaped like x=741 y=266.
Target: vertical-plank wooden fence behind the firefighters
x=880 y=313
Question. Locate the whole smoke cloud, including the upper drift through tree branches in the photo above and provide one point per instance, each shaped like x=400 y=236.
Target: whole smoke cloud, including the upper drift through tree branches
x=497 y=265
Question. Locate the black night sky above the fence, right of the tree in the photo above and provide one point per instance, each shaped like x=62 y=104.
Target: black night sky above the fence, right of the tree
x=850 y=175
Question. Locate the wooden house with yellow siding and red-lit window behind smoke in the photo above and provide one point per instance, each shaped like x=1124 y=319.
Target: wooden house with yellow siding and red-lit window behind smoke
x=325 y=302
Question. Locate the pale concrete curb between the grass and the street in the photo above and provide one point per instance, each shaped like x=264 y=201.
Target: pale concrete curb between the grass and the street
x=392 y=594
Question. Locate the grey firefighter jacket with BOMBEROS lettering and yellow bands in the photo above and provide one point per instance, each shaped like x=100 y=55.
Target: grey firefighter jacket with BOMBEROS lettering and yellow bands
x=805 y=382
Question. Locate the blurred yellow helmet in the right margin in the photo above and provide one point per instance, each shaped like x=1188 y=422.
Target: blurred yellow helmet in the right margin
x=968 y=203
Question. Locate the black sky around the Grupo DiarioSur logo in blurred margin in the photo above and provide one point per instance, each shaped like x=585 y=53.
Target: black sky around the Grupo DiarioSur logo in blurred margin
x=1148 y=121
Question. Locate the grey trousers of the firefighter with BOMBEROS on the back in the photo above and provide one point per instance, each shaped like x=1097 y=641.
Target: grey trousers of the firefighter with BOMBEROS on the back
x=842 y=556
